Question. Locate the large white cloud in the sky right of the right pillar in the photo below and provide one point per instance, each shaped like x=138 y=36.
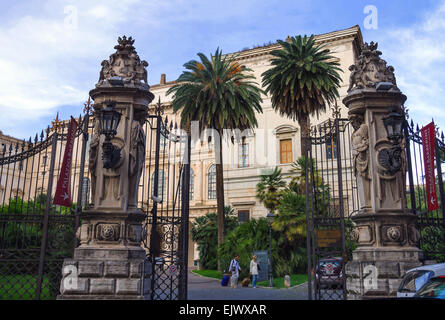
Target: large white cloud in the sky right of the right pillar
x=417 y=52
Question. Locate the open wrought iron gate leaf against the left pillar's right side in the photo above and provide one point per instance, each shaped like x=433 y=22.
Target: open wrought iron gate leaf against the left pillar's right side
x=165 y=199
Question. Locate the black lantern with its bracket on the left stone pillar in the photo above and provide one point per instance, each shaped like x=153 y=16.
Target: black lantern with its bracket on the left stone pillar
x=109 y=120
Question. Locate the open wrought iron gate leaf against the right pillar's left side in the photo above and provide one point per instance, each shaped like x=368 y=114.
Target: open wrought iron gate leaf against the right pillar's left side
x=331 y=200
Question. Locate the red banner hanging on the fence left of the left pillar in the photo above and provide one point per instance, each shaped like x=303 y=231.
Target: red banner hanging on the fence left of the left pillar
x=63 y=189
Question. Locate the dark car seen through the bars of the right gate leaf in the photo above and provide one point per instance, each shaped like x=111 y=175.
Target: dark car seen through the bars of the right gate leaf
x=329 y=274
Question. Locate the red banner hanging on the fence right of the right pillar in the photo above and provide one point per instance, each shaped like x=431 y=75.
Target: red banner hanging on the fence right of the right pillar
x=428 y=143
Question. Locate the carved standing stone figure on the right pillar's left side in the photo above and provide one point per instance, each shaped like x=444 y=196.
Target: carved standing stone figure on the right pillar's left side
x=360 y=150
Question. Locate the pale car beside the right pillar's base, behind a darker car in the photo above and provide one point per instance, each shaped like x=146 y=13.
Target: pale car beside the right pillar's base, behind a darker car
x=415 y=278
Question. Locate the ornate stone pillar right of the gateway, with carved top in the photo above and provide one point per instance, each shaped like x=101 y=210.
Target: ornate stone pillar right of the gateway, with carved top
x=384 y=228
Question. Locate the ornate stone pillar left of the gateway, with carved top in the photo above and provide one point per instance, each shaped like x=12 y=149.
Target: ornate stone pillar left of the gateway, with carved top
x=109 y=262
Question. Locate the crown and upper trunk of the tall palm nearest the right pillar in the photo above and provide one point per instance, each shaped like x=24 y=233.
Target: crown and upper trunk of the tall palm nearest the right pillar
x=303 y=78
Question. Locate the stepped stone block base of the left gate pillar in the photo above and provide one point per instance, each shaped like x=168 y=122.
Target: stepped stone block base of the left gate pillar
x=97 y=274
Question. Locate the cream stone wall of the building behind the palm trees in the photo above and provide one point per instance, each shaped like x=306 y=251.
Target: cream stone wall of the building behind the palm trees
x=264 y=154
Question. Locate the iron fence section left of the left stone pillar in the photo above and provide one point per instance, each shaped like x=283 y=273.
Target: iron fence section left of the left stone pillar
x=35 y=235
